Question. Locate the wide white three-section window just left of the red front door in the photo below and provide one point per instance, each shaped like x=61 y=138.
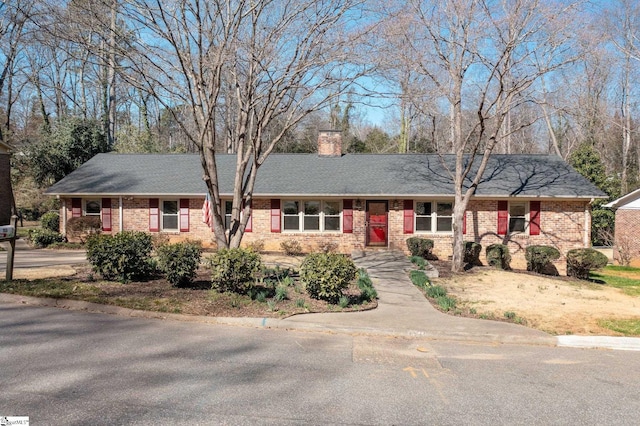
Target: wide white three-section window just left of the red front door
x=311 y=215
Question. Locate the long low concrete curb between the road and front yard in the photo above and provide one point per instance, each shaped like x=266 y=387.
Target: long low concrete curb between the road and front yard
x=583 y=342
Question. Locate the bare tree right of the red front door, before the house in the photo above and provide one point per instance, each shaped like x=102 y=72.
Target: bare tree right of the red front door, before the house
x=483 y=57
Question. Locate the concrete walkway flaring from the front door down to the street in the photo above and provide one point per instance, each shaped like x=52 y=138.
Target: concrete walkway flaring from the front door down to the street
x=404 y=311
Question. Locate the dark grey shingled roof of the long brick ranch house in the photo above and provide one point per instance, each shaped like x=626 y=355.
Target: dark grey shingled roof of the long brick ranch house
x=353 y=175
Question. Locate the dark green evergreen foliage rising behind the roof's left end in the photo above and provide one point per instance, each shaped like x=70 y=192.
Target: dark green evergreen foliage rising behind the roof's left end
x=72 y=142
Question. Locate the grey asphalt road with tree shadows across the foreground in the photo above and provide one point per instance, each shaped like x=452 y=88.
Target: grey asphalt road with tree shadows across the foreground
x=77 y=368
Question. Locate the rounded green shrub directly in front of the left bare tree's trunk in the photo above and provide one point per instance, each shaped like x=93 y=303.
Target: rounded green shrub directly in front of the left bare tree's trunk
x=233 y=270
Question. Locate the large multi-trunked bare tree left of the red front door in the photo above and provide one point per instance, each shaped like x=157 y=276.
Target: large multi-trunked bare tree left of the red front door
x=245 y=71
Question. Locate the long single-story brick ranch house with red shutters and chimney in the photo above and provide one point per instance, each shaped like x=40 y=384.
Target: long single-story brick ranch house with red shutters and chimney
x=354 y=201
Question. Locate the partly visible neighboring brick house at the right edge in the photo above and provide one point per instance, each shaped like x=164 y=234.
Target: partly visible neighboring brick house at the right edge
x=627 y=228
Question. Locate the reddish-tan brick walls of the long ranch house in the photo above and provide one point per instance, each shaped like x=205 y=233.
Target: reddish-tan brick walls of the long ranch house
x=562 y=225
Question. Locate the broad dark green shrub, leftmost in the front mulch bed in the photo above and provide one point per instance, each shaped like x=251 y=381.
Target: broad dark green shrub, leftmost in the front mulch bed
x=123 y=257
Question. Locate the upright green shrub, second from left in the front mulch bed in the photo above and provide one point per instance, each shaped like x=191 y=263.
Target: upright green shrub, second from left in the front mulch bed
x=179 y=262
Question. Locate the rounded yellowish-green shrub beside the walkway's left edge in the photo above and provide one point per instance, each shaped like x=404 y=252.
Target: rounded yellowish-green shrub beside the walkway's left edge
x=325 y=275
